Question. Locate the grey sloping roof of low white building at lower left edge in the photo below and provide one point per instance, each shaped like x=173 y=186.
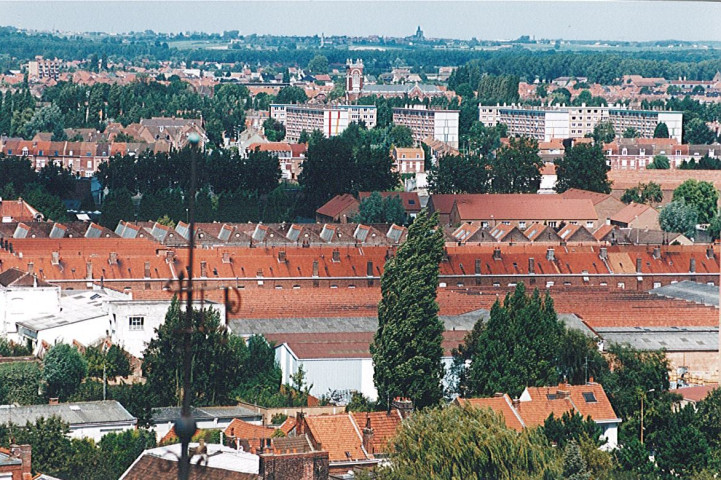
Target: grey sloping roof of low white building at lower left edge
x=79 y=413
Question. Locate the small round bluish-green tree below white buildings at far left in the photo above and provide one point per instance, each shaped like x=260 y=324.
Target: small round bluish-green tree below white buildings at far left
x=64 y=368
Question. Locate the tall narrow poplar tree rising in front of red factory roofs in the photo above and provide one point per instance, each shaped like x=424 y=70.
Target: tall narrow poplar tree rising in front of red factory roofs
x=407 y=346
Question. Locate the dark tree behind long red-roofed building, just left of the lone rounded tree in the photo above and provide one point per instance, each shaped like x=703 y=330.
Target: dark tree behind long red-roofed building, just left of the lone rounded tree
x=517 y=167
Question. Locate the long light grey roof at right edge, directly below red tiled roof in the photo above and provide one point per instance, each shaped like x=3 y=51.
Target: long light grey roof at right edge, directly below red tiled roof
x=672 y=339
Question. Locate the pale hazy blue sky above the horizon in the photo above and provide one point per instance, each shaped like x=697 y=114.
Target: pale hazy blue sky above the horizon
x=630 y=20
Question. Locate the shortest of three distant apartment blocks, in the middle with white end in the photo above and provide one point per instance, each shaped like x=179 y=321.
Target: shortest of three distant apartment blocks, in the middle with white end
x=428 y=123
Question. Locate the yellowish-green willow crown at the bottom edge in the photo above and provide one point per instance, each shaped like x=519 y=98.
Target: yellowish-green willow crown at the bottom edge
x=467 y=443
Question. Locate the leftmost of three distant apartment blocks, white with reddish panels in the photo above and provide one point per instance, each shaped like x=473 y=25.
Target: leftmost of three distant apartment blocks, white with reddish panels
x=331 y=120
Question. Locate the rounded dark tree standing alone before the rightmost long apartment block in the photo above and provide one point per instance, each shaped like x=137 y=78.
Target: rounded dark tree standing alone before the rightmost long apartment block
x=583 y=166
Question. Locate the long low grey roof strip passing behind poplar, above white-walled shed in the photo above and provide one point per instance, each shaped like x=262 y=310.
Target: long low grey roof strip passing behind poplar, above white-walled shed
x=464 y=322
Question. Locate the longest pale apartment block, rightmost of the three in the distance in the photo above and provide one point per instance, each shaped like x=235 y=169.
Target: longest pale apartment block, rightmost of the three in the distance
x=546 y=123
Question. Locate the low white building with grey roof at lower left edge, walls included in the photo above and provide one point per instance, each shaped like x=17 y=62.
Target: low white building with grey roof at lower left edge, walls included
x=86 y=419
